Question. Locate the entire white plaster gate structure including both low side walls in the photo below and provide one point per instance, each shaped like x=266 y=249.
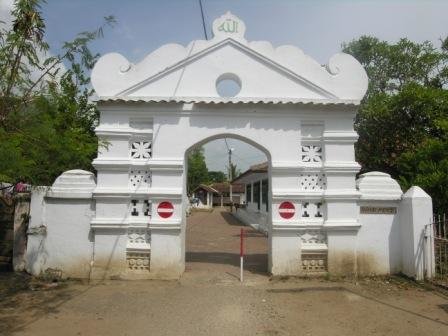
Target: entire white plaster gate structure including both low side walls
x=298 y=113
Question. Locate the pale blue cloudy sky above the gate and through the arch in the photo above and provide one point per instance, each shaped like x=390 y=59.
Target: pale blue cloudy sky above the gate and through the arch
x=318 y=27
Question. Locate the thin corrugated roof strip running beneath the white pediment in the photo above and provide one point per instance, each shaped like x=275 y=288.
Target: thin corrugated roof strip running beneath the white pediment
x=233 y=100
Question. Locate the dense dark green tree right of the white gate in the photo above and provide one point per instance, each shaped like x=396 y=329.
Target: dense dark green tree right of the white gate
x=402 y=121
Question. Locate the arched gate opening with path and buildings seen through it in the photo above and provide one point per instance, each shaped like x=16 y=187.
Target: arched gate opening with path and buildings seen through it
x=212 y=229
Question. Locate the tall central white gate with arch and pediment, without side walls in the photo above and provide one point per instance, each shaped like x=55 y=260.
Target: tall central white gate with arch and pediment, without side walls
x=281 y=101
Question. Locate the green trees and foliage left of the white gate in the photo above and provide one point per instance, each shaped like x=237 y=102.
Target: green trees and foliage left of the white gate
x=46 y=118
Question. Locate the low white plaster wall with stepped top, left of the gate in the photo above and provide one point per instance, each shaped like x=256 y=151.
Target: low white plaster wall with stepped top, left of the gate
x=59 y=236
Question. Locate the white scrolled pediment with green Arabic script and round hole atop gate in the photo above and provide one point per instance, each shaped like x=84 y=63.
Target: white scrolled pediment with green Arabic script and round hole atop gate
x=265 y=73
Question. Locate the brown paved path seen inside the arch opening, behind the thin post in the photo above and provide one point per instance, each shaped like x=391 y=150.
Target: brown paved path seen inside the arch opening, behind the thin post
x=213 y=243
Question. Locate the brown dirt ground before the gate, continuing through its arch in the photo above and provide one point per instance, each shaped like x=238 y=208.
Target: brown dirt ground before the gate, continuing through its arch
x=209 y=300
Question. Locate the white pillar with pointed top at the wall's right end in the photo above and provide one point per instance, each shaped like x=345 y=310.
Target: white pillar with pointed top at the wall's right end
x=415 y=213
